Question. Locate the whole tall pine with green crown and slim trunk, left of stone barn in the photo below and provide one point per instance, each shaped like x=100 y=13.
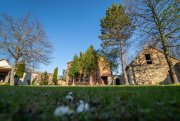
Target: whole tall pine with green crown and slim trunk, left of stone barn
x=116 y=30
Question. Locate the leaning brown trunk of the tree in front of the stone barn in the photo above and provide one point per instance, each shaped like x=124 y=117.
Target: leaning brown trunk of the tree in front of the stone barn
x=172 y=73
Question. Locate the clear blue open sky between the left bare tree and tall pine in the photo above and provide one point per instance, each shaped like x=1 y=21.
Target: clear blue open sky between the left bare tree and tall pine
x=71 y=25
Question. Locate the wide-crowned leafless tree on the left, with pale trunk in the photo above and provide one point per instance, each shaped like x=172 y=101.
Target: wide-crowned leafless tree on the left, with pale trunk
x=24 y=38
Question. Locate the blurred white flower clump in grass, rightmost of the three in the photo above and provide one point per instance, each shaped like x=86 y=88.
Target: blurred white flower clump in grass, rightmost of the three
x=82 y=107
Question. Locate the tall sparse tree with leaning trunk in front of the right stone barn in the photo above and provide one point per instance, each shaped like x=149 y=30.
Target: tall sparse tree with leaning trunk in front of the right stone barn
x=158 y=20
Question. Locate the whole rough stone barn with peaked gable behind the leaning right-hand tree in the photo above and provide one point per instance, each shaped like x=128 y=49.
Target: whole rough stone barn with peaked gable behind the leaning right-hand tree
x=150 y=68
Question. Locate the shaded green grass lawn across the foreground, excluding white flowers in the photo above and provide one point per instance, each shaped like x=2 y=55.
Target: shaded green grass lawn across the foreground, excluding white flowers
x=152 y=103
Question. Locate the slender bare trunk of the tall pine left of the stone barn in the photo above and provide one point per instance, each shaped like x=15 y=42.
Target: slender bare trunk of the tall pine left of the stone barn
x=123 y=63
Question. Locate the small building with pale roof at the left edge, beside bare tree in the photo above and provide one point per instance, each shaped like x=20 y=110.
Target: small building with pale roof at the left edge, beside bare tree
x=5 y=69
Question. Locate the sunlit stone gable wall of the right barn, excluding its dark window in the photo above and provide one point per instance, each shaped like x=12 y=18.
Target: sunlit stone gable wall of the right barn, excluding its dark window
x=151 y=74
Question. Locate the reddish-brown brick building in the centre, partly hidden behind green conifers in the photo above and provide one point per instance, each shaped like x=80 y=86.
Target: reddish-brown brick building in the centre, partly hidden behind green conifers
x=102 y=76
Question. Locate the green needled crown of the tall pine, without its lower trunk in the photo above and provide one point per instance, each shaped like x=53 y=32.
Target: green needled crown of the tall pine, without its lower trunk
x=116 y=26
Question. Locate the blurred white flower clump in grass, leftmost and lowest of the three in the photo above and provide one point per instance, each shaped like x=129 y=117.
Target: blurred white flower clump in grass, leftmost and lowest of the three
x=63 y=110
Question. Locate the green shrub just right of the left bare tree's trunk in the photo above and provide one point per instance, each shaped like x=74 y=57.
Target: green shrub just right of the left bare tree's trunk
x=20 y=69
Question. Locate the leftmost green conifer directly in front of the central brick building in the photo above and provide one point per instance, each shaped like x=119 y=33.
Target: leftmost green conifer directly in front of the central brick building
x=74 y=69
